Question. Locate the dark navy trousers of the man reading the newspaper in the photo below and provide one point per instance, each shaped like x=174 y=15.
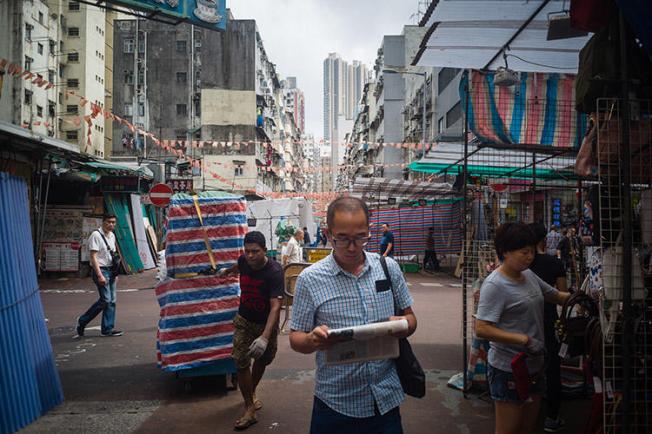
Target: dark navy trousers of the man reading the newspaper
x=327 y=421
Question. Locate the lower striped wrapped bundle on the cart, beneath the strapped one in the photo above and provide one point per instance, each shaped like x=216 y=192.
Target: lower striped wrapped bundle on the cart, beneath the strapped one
x=196 y=324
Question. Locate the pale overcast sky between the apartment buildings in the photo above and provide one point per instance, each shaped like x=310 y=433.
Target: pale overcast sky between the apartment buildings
x=299 y=34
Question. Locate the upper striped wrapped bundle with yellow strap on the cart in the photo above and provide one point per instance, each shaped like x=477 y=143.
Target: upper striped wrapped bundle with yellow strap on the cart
x=224 y=224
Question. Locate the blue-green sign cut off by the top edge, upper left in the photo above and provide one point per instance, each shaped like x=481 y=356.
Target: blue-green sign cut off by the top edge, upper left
x=206 y=13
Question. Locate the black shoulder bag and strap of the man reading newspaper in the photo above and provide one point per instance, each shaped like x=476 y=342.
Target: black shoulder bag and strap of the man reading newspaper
x=413 y=379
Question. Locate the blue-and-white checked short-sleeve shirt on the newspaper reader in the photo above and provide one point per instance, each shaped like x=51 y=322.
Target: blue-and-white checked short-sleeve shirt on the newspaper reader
x=327 y=295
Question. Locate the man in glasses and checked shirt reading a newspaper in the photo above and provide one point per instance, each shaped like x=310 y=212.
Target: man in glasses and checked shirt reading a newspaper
x=346 y=289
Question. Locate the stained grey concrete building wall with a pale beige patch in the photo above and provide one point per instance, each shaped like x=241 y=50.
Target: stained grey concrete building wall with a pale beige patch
x=226 y=72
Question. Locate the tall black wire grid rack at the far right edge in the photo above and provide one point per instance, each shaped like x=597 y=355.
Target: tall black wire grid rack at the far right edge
x=624 y=149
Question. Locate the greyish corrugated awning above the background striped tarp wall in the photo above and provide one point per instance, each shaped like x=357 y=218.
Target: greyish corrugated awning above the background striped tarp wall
x=382 y=189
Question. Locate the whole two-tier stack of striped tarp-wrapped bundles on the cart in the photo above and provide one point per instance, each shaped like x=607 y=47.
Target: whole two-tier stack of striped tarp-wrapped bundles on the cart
x=196 y=322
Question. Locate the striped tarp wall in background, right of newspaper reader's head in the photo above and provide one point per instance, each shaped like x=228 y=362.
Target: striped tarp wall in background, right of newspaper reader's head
x=410 y=227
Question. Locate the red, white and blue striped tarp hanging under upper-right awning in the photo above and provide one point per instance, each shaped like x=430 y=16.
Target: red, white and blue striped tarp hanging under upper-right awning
x=540 y=110
